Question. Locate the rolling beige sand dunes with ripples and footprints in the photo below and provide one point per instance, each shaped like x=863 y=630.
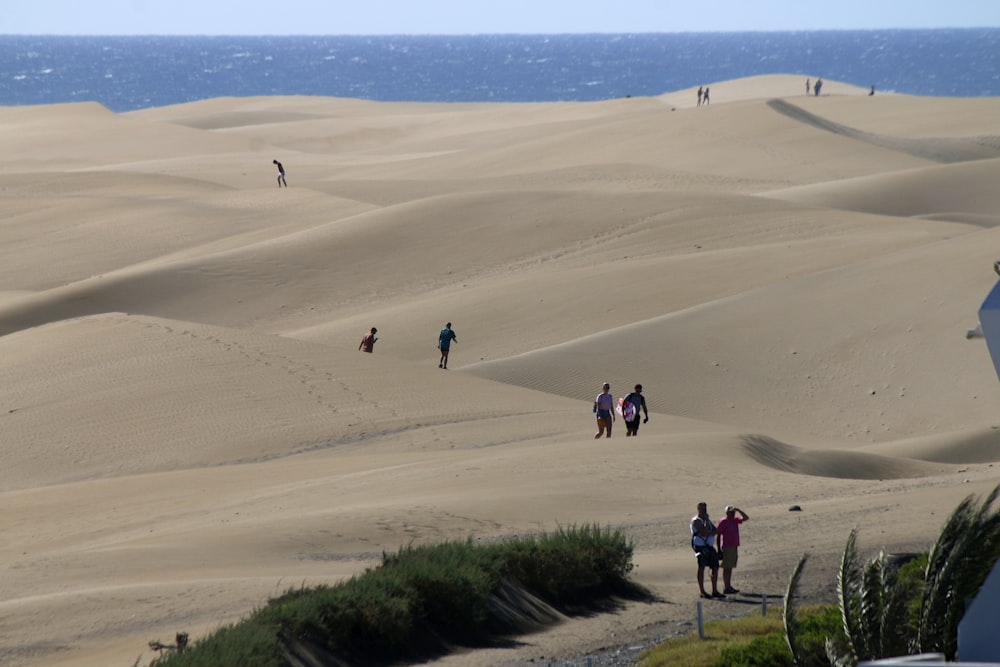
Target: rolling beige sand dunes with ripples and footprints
x=188 y=427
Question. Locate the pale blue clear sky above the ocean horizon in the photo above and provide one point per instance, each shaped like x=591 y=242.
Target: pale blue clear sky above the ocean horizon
x=456 y=17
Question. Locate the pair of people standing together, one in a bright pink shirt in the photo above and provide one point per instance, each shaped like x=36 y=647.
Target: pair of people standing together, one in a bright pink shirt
x=709 y=541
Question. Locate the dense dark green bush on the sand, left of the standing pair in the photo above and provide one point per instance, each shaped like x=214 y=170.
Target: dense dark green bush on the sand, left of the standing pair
x=424 y=599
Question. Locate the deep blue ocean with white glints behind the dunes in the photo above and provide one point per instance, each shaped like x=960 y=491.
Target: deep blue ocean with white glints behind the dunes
x=127 y=73
